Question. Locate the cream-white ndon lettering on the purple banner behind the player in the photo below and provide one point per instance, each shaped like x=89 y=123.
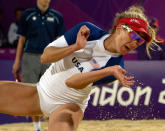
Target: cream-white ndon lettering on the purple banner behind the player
x=115 y=94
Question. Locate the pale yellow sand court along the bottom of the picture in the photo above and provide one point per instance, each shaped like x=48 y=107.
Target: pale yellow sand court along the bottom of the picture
x=110 y=125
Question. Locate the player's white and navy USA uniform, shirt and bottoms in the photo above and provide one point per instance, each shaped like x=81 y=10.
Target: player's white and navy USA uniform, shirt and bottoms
x=52 y=89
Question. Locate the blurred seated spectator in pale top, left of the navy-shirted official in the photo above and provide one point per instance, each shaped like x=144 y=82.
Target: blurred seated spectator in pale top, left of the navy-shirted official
x=12 y=33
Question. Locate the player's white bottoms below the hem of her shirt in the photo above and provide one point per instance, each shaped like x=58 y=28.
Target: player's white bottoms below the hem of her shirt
x=49 y=104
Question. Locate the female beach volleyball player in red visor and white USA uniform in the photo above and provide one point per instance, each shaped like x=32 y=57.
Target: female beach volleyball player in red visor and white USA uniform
x=83 y=56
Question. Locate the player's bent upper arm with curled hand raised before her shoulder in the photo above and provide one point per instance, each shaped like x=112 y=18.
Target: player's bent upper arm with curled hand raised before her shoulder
x=53 y=54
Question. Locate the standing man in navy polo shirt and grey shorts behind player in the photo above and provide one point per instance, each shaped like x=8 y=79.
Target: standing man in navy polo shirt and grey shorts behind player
x=38 y=27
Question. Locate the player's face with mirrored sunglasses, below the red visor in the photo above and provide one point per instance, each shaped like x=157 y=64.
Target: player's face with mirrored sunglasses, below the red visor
x=128 y=41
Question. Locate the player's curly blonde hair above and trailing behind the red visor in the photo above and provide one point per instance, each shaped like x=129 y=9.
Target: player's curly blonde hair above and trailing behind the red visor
x=137 y=12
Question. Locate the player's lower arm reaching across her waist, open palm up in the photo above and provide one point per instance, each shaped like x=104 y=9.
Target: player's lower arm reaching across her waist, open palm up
x=81 y=80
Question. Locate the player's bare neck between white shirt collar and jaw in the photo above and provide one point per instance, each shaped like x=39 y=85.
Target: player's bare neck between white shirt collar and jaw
x=109 y=44
